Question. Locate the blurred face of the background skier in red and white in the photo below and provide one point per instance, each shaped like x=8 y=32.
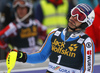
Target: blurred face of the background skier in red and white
x=21 y=11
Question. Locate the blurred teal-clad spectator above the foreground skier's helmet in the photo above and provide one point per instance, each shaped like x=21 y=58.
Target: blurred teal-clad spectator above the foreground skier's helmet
x=92 y=3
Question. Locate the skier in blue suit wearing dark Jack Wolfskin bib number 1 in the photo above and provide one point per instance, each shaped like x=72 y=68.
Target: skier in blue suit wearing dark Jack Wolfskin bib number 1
x=69 y=49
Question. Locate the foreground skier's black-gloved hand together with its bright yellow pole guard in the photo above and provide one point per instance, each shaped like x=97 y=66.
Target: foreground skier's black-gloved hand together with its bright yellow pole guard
x=14 y=56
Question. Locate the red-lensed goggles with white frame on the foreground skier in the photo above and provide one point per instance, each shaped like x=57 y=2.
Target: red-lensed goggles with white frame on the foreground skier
x=81 y=16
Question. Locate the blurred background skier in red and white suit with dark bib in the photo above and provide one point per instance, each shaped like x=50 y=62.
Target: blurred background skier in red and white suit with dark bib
x=25 y=31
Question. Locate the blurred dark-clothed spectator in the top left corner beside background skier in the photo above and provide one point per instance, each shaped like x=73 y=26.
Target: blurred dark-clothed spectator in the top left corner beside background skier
x=7 y=14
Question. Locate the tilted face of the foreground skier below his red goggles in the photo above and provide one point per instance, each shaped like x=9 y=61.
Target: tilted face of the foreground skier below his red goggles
x=73 y=22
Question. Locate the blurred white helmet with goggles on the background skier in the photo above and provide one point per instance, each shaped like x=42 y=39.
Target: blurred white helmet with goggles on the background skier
x=23 y=3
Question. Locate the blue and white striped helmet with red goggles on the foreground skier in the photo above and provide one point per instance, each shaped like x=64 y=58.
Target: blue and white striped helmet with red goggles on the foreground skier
x=84 y=13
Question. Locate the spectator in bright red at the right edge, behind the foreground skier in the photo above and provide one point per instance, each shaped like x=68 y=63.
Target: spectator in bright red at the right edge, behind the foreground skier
x=94 y=30
